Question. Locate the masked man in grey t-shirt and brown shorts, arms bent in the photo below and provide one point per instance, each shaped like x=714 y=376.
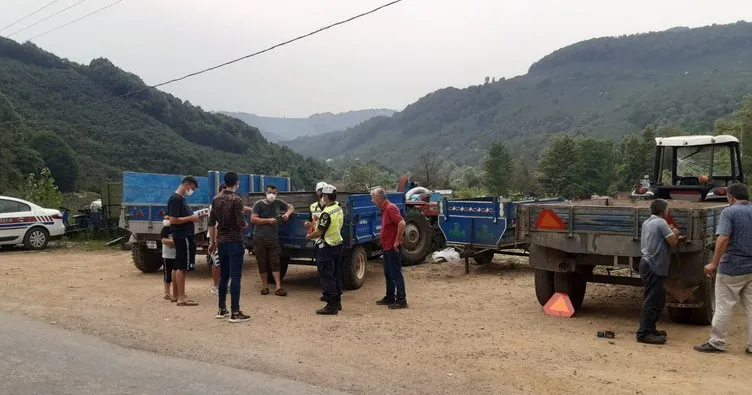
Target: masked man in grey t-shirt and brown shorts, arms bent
x=266 y=215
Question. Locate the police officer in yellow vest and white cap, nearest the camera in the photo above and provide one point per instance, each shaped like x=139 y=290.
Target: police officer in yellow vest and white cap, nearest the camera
x=328 y=236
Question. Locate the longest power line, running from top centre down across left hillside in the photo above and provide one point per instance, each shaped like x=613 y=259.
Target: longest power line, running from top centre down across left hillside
x=290 y=41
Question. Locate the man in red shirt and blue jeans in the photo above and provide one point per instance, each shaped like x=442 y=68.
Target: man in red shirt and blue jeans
x=392 y=232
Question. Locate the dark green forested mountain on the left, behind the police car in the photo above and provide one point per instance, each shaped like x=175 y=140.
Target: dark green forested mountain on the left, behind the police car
x=46 y=119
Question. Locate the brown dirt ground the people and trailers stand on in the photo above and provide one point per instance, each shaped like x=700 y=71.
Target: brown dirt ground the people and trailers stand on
x=478 y=333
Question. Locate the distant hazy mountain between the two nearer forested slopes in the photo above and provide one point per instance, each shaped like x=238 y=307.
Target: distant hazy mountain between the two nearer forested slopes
x=278 y=129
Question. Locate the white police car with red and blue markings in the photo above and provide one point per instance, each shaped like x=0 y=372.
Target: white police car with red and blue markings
x=23 y=222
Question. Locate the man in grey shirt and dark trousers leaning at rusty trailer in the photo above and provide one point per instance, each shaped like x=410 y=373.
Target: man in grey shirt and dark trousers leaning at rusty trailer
x=657 y=237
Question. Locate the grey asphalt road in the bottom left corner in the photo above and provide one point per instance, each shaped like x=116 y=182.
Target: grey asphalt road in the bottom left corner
x=40 y=358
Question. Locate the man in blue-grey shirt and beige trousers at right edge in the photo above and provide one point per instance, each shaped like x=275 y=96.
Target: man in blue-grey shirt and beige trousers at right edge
x=732 y=260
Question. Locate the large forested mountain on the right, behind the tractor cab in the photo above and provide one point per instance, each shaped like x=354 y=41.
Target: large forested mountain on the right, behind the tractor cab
x=604 y=87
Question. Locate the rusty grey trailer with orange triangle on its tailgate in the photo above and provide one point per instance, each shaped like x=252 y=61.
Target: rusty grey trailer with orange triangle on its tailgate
x=566 y=241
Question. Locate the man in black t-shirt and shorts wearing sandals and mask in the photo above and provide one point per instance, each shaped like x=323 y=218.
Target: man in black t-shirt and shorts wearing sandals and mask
x=182 y=221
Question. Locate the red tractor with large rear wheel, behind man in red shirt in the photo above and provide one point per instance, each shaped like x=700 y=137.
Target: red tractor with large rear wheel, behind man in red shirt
x=422 y=233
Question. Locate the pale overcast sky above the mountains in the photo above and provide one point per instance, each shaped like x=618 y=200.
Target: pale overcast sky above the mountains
x=386 y=60
